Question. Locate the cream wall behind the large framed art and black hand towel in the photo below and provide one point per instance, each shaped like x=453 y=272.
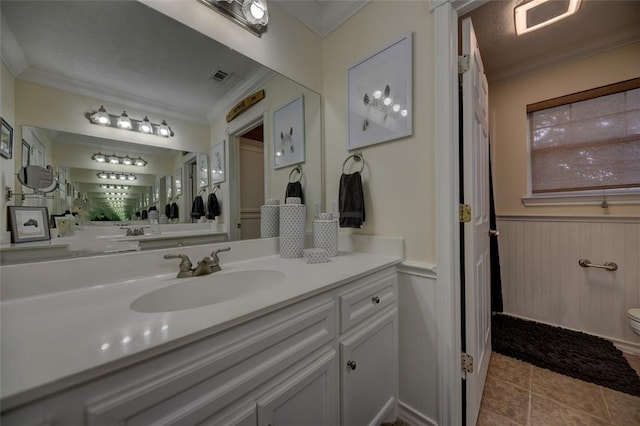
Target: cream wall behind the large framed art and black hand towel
x=399 y=176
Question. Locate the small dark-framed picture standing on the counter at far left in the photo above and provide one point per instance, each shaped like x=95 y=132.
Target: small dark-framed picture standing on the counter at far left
x=28 y=224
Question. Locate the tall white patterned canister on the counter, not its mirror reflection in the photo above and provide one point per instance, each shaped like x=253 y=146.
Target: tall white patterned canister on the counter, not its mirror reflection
x=292 y=221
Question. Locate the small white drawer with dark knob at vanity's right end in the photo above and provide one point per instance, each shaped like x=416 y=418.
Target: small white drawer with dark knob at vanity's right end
x=367 y=299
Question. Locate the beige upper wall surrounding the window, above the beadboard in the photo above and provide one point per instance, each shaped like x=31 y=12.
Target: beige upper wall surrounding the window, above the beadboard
x=507 y=104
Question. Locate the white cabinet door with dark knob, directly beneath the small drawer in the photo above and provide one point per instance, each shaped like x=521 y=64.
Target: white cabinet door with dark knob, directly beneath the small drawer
x=369 y=371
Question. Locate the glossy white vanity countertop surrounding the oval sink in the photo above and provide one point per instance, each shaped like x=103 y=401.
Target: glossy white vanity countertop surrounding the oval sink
x=56 y=340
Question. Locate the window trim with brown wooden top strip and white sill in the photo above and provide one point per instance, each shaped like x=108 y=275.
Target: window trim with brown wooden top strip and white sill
x=619 y=195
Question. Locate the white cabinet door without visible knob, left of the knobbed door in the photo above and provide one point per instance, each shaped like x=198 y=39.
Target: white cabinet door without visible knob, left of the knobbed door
x=307 y=398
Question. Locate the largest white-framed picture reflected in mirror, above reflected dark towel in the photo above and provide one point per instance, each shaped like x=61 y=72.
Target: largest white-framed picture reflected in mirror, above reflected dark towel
x=288 y=134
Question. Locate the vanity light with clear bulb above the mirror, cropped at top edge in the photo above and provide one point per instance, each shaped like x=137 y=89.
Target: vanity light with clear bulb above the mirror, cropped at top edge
x=249 y=14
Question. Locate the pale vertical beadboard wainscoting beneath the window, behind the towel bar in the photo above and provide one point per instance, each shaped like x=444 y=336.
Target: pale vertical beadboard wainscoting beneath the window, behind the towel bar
x=541 y=278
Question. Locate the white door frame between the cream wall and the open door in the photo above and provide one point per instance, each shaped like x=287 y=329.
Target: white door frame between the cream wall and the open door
x=445 y=106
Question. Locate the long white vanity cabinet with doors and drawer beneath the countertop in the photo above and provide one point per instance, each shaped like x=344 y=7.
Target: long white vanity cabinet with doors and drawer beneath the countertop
x=287 y=367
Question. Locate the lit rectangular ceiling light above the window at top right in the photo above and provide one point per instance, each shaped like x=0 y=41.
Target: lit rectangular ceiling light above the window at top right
x=536 y=14
